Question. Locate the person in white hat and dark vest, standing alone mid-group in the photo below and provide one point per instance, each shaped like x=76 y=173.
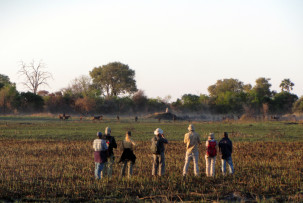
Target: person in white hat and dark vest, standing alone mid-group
x=158 y=142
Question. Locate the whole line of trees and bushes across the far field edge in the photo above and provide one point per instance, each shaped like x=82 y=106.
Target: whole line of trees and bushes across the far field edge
x=112 y=89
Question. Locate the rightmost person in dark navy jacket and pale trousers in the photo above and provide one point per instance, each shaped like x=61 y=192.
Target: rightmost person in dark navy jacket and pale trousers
x=226 y=149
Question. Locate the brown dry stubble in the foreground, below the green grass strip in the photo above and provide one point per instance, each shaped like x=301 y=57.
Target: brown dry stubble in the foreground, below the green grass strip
x=41 y=169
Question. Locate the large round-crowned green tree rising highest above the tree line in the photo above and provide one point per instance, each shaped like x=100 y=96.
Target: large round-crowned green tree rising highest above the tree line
x=114 y=79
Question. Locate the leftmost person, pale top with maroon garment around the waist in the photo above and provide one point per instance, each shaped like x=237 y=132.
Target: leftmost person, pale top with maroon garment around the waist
x=100 y=154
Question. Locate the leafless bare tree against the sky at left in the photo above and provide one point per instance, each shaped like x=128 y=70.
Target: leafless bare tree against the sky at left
x=34 y=75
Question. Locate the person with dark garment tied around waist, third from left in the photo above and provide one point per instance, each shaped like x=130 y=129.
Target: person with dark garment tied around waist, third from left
x=128 y=156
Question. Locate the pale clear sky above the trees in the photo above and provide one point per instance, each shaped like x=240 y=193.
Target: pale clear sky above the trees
x=175 y=47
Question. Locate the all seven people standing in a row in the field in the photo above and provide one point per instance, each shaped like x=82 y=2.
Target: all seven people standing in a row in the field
x=104 y=156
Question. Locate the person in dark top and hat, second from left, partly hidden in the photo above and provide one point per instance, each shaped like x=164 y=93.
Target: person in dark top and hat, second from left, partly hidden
x=111 y=143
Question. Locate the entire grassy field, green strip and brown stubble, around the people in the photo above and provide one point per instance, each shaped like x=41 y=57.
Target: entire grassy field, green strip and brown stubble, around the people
x=49 y=160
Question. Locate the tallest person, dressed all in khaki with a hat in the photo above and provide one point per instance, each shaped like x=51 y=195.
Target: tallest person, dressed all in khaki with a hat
x=192 y=141
